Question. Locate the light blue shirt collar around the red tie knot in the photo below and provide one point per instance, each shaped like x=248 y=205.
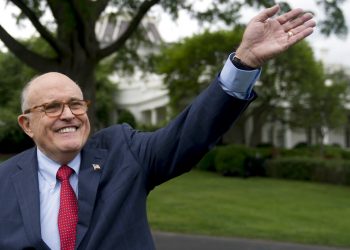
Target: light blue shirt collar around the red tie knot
x=48 y=167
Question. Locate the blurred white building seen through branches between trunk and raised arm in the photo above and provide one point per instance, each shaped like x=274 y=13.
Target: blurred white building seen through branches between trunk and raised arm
x=144 y=95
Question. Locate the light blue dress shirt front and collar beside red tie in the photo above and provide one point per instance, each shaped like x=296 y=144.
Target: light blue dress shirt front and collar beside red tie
x=49 y=189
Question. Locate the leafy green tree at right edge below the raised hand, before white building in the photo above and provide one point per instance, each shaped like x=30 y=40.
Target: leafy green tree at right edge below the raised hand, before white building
x=319 y=106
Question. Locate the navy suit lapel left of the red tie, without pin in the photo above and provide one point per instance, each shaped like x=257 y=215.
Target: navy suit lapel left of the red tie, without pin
x=26 y=185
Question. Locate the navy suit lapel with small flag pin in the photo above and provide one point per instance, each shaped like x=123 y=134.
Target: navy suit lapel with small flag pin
x=91 y=168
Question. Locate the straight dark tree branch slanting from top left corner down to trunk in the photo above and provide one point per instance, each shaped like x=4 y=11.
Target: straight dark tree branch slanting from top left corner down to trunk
x=38 y=26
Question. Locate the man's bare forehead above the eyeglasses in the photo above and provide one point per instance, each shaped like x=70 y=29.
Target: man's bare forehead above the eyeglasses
x=53 y=86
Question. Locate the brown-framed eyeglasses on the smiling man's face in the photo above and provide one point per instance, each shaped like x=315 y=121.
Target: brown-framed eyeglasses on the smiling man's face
x=55 y=108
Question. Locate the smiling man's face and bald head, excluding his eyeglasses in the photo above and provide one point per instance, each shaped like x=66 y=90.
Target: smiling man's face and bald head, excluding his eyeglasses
x=60 y=138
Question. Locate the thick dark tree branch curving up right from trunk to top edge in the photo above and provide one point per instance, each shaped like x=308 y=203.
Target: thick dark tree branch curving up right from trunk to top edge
x=143 y=9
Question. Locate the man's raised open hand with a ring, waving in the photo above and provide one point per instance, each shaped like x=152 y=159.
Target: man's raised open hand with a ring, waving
x=267 y=36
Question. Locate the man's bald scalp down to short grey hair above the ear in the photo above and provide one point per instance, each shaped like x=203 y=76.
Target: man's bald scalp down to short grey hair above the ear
x=40 y=84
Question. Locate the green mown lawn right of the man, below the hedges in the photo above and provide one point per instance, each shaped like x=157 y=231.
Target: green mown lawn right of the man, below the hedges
x=209 y=204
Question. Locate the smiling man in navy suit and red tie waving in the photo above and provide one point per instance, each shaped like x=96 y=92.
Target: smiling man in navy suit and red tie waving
x=71 y=191
